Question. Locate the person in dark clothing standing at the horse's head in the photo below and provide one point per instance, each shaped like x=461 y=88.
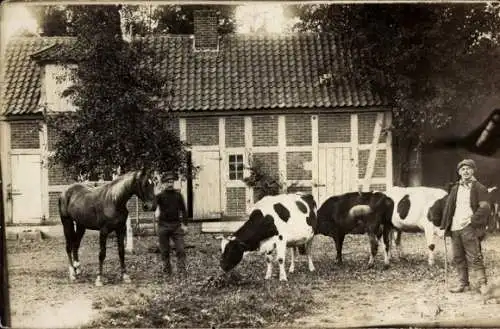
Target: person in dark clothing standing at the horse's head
x=172 y=223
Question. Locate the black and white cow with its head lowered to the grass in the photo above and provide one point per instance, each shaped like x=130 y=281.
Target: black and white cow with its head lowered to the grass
x=275 y=223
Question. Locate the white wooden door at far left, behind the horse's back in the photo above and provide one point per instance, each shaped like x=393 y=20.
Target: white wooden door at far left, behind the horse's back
x=26 y=188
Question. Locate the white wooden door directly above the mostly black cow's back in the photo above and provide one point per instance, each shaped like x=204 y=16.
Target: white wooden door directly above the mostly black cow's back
x=336 y=172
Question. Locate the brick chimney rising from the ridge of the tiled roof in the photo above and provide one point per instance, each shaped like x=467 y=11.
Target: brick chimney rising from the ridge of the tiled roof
x=205 y=30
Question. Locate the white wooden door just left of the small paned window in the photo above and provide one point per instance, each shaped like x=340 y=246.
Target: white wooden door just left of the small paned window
x=206 y=185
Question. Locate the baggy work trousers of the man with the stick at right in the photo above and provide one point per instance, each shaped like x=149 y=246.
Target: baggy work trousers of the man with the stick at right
x=467 y=254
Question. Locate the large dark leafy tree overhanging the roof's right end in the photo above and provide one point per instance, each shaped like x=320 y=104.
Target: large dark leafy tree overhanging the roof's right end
x=427 y=60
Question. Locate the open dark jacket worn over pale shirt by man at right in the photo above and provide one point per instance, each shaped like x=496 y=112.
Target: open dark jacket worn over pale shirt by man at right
x=479 y=202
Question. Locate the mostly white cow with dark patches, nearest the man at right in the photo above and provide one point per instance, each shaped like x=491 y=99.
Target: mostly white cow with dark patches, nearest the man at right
x=411 y=213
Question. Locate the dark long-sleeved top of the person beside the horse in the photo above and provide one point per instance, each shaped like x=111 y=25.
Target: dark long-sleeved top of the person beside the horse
x=171 y=204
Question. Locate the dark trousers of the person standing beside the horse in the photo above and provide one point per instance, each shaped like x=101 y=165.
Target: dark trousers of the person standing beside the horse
x=172 y=231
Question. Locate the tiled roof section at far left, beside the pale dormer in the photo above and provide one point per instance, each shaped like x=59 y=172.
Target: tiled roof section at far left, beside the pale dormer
x=21 y=76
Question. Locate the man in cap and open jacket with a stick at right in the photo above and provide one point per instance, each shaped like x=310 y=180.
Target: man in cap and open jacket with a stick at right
x=465 y=216
